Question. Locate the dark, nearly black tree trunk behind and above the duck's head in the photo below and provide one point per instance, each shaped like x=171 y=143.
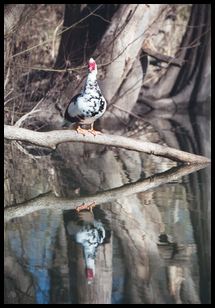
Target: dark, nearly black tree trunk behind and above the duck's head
x=79 y=42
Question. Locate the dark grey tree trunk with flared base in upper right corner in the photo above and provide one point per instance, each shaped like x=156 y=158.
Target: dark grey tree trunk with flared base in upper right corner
x=184 y=87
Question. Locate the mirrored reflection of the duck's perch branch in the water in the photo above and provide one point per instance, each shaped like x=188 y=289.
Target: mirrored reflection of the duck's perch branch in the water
x=50 y=201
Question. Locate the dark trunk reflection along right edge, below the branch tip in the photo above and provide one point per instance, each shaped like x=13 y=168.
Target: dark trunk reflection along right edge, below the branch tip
x=201 y=219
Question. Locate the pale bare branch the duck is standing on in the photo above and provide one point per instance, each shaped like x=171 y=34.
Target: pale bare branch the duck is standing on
x=53 y=138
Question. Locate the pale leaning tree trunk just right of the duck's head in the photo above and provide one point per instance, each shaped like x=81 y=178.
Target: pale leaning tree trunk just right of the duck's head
x=122 y=43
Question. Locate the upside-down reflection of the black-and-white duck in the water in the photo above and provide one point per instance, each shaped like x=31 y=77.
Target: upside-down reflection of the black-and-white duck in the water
x=87 y=229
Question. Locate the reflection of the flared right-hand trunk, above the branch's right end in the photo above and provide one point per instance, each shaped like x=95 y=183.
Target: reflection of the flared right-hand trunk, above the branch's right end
x=188 y=132
